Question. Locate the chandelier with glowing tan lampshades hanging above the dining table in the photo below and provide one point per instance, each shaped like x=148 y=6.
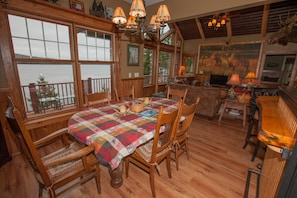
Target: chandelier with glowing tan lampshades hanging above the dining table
x=136 y=19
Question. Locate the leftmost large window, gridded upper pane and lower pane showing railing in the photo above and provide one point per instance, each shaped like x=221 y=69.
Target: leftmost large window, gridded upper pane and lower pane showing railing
x=46 y=85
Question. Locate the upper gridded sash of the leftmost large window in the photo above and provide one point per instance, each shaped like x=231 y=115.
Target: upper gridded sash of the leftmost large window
x=39 y=39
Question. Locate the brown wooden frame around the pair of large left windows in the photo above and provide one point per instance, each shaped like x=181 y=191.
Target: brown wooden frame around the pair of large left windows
x=73 y=60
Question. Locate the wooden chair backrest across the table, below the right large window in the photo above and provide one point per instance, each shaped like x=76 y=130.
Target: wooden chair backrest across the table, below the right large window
x=98 y=98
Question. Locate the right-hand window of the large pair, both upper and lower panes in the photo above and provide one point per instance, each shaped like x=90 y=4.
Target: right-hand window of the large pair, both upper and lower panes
x=94 y=47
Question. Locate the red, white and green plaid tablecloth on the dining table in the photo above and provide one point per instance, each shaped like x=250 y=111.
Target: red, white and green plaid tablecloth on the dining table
x=115 y=135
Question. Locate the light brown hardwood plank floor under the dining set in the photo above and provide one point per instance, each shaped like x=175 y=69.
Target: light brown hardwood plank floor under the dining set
x=217 y=168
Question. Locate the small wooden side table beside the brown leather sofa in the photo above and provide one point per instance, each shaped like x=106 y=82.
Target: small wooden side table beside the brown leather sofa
x=234 y=104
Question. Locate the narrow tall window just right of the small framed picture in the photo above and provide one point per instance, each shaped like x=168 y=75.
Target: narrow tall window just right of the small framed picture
x=148 y=66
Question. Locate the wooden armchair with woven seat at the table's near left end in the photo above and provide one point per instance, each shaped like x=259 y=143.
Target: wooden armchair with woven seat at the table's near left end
x=60 y=170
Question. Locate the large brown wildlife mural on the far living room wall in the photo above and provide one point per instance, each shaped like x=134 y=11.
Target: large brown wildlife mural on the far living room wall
x=228 y=59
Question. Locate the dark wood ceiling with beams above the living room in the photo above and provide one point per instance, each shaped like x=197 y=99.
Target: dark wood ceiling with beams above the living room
x=255 y=20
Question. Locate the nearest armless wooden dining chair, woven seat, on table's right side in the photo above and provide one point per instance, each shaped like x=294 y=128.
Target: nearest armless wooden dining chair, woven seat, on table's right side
x=149 y=155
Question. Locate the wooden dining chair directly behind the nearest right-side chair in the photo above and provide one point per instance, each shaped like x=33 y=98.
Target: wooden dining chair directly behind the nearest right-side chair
x=180 y=142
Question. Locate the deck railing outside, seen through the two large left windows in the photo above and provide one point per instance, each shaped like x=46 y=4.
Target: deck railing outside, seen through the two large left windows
x=40 y=97
